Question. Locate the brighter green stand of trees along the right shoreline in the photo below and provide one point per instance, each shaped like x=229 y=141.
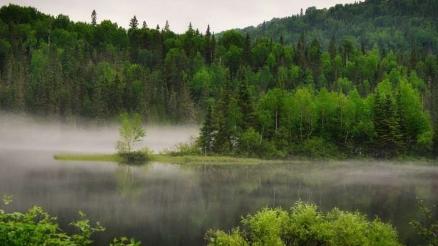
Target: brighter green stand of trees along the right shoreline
x=388 y=122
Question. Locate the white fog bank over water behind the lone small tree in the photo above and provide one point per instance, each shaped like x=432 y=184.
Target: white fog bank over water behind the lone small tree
x=30 y=133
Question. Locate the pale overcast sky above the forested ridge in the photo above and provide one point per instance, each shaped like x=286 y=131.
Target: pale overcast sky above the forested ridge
x=220 y=14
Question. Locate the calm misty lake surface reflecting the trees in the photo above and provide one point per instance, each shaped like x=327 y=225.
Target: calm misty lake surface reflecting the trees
x=165 y=204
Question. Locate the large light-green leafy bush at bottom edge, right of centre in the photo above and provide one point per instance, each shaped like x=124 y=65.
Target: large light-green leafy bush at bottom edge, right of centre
x=304 y=224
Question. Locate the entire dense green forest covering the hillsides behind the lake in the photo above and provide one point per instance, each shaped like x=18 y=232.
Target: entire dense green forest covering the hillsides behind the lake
x=352 y=80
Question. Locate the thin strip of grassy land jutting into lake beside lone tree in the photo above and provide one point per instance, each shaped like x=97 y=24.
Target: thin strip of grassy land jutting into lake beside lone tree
x=165 y=158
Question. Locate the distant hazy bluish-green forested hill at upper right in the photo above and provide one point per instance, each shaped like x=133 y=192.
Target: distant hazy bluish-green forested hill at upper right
x=387 y=24
